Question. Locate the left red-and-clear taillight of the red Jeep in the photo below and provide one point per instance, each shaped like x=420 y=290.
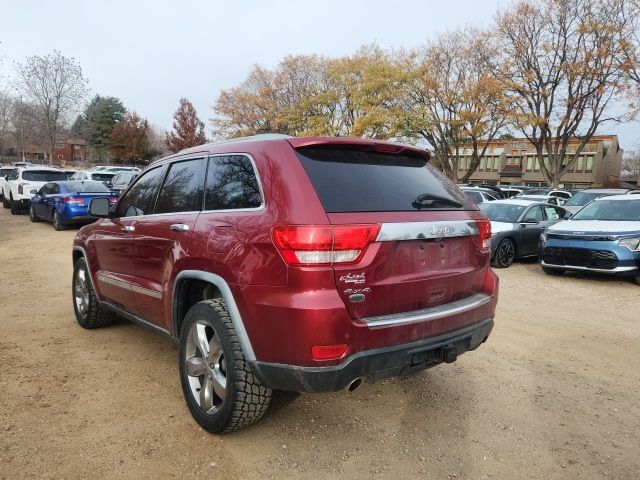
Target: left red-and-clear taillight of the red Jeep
x=323 y=244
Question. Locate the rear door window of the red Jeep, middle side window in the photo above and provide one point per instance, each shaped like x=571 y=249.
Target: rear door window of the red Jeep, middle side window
x=182 y=189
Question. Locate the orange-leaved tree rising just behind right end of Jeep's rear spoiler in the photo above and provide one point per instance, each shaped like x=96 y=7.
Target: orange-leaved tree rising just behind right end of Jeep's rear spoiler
x=451 y=100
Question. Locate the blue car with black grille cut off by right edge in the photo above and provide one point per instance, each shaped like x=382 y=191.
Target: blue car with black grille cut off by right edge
x=603 y=237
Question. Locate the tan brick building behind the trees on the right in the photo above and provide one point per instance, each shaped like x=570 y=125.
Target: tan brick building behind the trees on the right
x=513 y=161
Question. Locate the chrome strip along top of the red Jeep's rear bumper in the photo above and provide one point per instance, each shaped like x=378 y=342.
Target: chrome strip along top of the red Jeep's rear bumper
x=426 y=314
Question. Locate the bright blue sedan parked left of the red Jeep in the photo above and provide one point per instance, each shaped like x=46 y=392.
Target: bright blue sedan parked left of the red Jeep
x=67 y=202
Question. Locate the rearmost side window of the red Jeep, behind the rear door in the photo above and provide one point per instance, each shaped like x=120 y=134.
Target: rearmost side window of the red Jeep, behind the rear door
x=231 y=184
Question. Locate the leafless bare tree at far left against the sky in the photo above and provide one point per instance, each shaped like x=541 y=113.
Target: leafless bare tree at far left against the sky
x=54 y=84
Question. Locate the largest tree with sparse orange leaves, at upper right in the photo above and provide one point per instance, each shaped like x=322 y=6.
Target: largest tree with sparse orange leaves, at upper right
x=561 y=64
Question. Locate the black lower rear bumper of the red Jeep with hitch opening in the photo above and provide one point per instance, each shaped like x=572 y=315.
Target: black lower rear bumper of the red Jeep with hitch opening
x=373 y=365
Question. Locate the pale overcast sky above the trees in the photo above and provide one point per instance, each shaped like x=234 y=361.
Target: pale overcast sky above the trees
x=151 y=53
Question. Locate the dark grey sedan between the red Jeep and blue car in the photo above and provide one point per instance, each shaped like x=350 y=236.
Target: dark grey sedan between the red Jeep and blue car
x=516 y=226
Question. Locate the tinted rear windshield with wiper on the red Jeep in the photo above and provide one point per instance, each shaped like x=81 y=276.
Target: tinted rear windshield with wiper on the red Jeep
x=350 y=180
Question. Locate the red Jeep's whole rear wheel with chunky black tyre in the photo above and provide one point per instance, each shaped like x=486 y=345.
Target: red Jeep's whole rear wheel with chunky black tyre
x=220 y=389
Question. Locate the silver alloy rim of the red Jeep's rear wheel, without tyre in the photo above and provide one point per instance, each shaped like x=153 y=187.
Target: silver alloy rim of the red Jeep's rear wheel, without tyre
x=206 y=367
